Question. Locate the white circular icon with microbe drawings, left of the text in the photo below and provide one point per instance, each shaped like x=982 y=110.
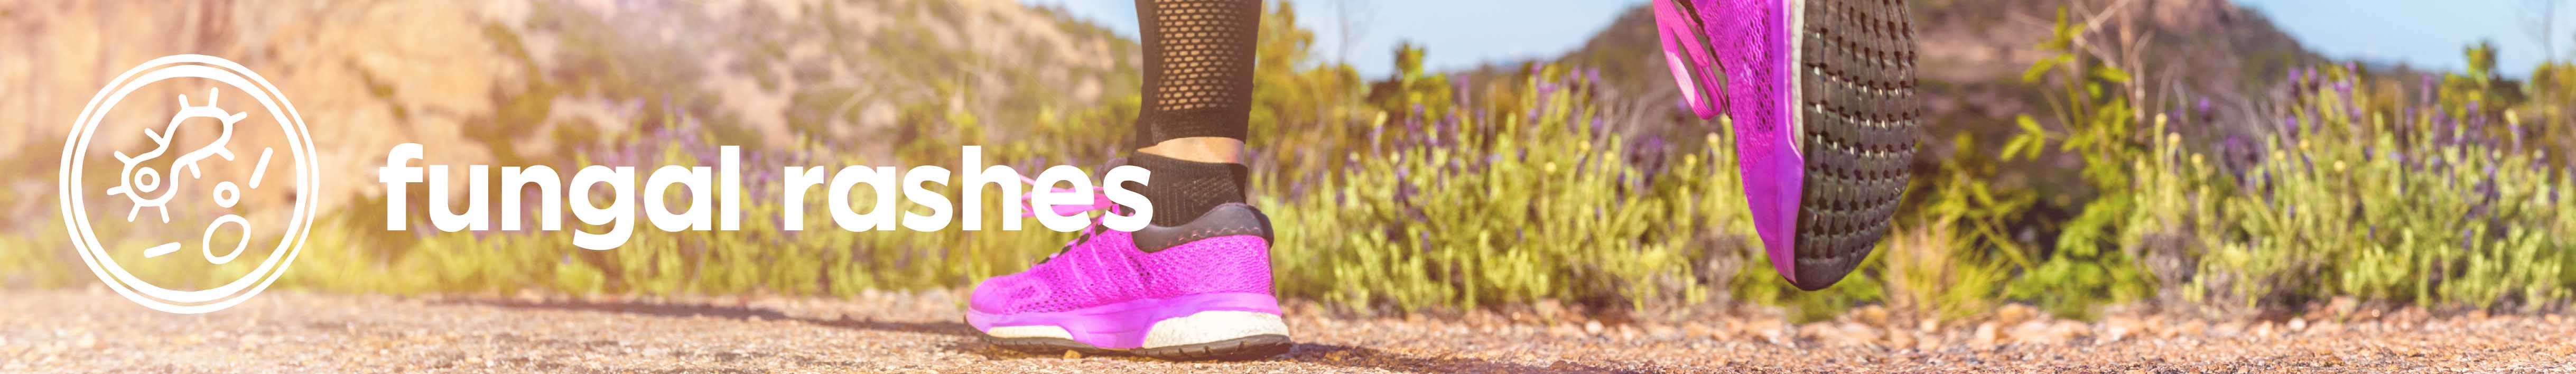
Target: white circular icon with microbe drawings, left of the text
x=146 y=190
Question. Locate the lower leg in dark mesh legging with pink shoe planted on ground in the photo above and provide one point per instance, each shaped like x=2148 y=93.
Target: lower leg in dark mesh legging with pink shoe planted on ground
x=1194 y=282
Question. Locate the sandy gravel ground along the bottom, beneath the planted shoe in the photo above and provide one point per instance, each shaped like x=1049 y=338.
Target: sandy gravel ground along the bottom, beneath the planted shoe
x=285 y=331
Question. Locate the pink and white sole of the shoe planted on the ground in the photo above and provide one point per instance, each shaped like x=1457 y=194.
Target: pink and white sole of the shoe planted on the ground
x=1181 y=329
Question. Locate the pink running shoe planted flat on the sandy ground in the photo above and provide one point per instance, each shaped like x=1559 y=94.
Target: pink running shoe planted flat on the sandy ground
x=1171 y=293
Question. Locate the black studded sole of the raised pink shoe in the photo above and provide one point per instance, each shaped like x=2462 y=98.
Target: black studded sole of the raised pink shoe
x=1856 y=125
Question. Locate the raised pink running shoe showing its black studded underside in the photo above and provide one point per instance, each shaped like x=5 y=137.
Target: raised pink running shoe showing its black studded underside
x=1825 y=117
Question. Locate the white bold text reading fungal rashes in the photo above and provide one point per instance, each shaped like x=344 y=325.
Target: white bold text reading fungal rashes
x=717 y=197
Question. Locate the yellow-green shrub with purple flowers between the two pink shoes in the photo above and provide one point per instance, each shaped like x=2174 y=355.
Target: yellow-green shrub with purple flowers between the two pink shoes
x=1498 y=202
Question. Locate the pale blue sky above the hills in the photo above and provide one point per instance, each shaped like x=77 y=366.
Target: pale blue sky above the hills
x=1472 y=32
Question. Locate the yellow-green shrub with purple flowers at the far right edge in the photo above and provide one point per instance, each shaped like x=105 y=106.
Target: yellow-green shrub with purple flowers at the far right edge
x=2405 y=205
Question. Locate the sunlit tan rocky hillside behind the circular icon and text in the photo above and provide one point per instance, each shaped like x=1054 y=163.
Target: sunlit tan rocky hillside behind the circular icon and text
x=532 y=84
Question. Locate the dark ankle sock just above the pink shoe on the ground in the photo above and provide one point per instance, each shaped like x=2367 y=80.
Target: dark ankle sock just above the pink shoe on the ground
x=1186 y=190
